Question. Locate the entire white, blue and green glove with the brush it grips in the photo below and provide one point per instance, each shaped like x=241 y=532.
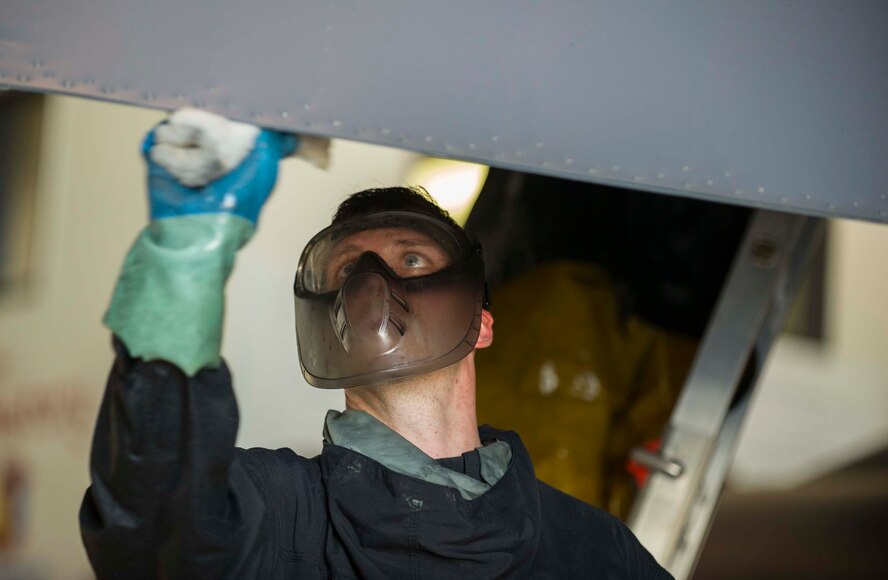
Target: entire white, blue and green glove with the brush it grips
x=208 y=178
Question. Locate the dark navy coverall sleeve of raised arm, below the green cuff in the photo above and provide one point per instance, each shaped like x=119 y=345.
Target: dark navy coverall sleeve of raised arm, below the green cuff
x=171 y=496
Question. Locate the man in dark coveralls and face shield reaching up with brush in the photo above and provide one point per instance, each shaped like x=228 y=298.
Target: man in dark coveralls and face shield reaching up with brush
x=390 y=305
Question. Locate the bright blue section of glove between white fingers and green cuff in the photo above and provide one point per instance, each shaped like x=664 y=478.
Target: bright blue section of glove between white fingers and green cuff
x=241 y=192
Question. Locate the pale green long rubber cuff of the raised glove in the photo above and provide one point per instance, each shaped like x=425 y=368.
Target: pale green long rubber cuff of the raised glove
x=169 y=301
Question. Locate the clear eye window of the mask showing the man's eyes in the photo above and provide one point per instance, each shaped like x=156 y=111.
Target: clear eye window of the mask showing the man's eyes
x=407 y=252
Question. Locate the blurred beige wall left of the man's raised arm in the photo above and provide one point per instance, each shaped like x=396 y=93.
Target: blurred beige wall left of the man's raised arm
x=52 y=346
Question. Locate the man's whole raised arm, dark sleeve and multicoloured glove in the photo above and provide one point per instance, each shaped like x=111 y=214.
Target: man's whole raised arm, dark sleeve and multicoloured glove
x=170 y=496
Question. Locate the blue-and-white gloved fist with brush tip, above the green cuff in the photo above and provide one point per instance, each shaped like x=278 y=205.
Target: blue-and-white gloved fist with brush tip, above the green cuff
x=200 y=163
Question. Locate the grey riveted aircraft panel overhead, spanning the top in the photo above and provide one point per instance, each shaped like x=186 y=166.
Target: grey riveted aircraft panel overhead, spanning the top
x=774 y=104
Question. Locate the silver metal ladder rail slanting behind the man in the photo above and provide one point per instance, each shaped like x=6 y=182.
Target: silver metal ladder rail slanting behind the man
x=673 y=512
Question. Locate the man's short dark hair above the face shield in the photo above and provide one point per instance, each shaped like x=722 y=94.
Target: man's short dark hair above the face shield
x=376 y=200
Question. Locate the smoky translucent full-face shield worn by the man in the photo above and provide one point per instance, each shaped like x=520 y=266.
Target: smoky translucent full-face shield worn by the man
x=386 y=296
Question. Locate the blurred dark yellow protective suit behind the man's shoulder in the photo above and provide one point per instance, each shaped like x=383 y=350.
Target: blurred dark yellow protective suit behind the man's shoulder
x=580 y=383
